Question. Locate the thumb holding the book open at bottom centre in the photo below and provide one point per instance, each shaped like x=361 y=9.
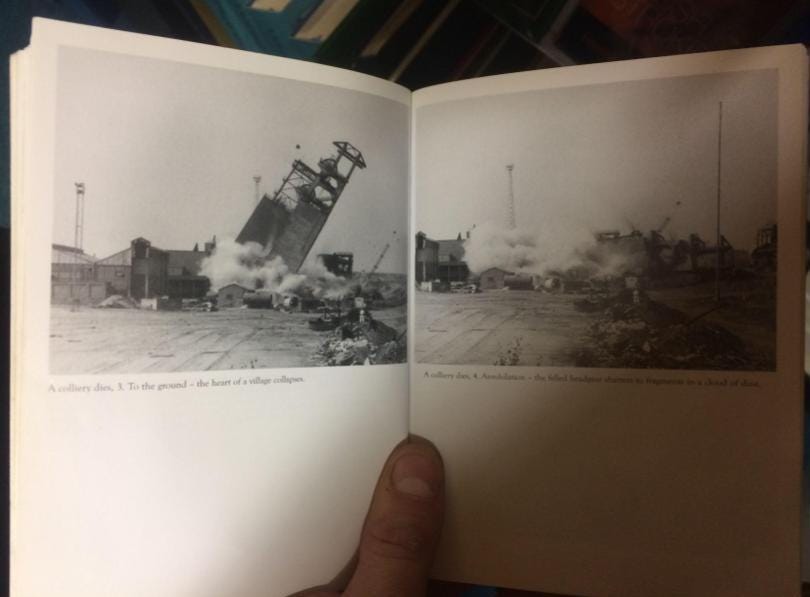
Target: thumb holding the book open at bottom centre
x=403 y=525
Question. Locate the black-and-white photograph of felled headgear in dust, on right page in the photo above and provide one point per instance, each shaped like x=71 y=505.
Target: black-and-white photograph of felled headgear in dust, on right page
x=621 y=225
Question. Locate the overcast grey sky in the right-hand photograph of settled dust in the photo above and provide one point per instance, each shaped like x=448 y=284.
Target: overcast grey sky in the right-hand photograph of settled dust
x=604 y=156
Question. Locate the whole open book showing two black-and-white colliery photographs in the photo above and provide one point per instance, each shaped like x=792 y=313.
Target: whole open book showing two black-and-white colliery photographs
x=240 y=280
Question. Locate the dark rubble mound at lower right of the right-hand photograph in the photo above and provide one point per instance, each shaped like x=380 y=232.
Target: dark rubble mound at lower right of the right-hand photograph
x=636 y=332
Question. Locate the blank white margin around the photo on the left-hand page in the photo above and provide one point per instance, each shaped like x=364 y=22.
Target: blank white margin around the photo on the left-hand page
x=168 y=493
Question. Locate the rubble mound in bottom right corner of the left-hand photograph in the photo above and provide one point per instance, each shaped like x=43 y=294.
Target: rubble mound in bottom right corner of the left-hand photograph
x=359 y=343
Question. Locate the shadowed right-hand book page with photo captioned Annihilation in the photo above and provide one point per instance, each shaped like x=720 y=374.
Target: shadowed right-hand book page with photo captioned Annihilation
x=607 y=323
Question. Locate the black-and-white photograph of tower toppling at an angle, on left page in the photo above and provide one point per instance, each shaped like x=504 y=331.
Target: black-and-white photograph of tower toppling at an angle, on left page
x=212 y=219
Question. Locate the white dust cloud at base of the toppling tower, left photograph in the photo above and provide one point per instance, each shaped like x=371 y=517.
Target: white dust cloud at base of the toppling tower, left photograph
x=246 y=265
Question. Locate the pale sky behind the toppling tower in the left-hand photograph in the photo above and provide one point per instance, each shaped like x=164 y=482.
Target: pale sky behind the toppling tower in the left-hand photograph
x=168 y=151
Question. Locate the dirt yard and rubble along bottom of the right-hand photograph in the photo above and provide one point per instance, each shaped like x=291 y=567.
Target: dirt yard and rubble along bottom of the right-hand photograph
x=675 y=328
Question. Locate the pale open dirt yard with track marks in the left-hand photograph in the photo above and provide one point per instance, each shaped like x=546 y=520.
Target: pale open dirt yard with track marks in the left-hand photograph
x=140 y=341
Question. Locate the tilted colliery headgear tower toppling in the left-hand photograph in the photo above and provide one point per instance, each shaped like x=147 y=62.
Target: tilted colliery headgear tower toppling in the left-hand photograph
x=287 y=223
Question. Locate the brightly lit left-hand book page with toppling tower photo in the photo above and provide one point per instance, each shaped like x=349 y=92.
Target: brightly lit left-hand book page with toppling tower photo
x=209 y=319
